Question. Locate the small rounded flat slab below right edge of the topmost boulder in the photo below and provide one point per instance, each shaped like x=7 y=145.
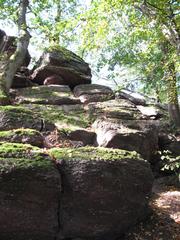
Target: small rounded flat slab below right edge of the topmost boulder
x=93 y=93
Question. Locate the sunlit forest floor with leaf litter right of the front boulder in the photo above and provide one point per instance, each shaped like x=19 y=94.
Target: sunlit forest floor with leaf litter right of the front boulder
x=164 y=223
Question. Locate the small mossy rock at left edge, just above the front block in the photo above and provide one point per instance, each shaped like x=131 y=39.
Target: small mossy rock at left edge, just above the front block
x=22 y=135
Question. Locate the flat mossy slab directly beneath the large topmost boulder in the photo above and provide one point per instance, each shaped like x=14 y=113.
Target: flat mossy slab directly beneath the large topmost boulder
x=51 y=95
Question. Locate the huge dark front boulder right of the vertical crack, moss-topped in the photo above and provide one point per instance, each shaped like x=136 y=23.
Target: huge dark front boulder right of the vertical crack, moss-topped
x=104 y=192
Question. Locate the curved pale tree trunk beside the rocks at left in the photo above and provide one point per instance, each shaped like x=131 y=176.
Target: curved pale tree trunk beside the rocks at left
x=9 y=69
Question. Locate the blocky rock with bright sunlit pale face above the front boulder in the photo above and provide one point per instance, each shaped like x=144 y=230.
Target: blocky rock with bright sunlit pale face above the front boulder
x=114 y=133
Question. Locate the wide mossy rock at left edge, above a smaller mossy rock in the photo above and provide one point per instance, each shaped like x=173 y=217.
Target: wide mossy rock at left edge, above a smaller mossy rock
x=14 y=117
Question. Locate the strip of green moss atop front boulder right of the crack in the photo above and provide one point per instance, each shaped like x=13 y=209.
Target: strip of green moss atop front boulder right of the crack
x=92 y=153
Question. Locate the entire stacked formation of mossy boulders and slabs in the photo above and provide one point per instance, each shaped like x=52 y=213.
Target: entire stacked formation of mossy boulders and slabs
x=77 y=162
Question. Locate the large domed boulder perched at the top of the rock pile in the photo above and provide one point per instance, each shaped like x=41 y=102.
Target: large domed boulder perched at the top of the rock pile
x=71 y=69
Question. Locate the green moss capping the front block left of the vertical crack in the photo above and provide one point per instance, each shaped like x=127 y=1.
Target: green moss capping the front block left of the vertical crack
x=22 y=156
